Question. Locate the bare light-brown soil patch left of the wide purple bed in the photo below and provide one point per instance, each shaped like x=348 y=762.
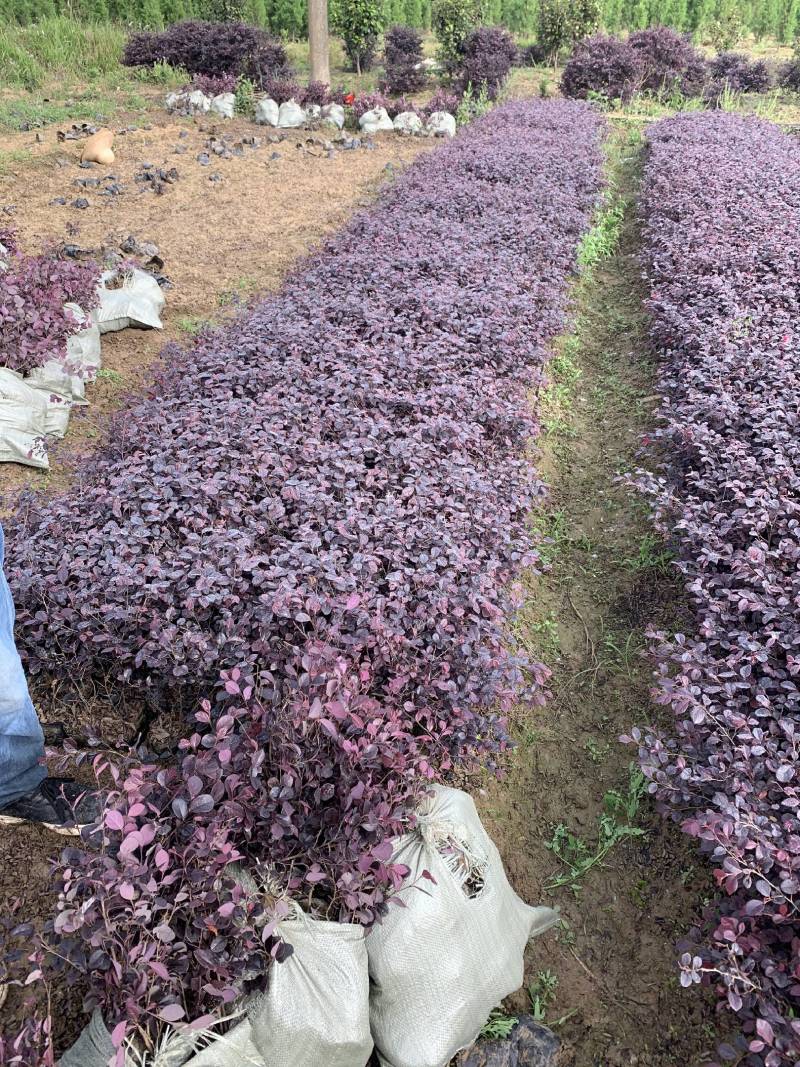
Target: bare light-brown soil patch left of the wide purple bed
x=221 y=242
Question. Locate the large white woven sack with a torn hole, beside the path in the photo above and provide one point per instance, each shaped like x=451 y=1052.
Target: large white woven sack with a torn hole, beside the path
x=440 y=965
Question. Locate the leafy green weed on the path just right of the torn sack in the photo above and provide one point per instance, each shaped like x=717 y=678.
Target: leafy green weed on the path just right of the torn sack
x=616 y=825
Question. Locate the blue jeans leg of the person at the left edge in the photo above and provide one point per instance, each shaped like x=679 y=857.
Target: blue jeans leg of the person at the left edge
x=22 y=741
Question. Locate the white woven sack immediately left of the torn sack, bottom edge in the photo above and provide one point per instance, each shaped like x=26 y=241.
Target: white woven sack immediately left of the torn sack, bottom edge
x=315 y=1011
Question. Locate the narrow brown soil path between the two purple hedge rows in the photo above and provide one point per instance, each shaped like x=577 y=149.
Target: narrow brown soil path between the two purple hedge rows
x=617 y=1001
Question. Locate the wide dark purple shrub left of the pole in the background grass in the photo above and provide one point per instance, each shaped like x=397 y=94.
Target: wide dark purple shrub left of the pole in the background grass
x=211 y=49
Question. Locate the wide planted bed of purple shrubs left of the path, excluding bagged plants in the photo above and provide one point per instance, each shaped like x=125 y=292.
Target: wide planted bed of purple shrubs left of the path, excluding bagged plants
x=334 y=519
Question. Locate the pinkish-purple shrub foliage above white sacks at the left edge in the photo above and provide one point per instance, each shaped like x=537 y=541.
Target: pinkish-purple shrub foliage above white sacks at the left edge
x=35 y=325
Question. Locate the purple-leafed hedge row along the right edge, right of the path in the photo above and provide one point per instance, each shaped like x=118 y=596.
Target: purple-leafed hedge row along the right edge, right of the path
x=723 y=206
